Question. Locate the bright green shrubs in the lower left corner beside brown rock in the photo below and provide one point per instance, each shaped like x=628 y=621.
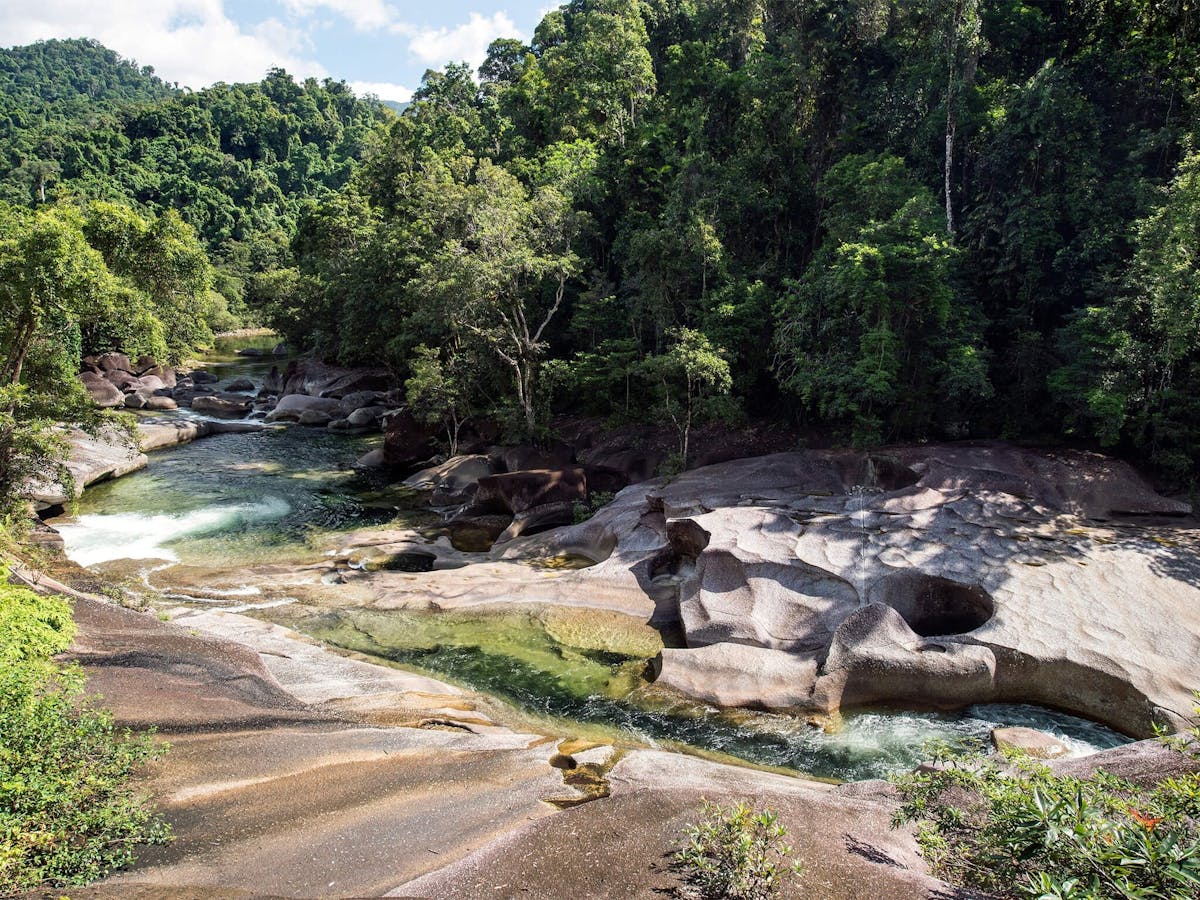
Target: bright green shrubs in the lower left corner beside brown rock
x=68 y=815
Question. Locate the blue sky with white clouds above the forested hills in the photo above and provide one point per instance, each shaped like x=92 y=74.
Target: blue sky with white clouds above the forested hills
x=382 y=47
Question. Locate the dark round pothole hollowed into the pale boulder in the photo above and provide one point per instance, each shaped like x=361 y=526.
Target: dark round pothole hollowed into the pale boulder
x=933 y=605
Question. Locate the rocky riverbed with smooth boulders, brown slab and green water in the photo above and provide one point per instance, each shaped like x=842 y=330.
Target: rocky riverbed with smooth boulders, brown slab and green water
x=823 y=611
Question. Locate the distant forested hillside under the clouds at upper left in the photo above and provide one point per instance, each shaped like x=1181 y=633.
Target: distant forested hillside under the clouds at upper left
x=79 y=124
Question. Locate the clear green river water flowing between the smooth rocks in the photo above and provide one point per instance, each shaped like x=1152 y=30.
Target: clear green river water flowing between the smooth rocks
x=285 y=496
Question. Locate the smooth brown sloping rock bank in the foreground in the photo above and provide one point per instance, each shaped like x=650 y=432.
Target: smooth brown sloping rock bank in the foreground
x=296 y=772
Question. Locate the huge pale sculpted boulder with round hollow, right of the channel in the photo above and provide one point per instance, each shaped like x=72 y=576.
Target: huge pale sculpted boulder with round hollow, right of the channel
x=932 y=575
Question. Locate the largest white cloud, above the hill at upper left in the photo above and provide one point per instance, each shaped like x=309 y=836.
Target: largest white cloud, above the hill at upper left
x=189 y=41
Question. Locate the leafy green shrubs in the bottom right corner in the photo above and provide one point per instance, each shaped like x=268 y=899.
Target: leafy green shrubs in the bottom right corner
x=1031 y=833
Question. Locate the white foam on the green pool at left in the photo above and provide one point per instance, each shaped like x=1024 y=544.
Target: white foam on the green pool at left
x=100 y=538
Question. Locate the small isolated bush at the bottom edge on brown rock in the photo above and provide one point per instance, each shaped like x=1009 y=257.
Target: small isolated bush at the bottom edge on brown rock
x=736 y=853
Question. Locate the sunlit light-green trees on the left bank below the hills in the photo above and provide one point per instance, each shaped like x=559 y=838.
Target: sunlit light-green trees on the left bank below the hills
x=81 y=281
